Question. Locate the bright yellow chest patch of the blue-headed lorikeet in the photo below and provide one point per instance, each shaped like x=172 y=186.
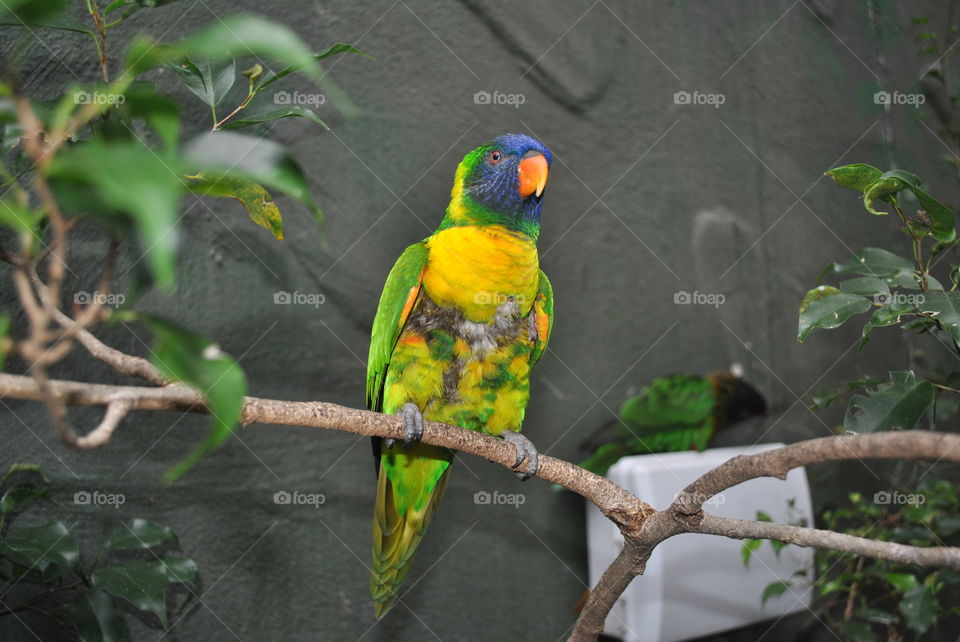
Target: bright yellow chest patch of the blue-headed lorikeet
x=477 y=269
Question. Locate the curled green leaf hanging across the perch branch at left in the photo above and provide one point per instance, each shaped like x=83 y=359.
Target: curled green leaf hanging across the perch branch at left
x=184 y=356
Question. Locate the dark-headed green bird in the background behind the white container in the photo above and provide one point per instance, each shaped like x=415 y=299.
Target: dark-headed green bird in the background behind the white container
x=674 y=413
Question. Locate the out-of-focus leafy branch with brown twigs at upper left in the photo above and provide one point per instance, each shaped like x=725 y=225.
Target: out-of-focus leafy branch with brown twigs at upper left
x=83 y=158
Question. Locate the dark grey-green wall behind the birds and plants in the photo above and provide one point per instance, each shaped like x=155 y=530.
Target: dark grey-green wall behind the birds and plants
x=646 y=198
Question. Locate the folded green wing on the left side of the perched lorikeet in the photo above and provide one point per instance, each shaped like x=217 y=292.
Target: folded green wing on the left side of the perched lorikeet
x=399 y=294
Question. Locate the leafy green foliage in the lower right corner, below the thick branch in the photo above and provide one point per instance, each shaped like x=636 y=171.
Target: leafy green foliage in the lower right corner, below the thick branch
x=864 y=599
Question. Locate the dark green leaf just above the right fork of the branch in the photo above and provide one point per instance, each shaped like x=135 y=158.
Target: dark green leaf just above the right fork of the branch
x=897 y=405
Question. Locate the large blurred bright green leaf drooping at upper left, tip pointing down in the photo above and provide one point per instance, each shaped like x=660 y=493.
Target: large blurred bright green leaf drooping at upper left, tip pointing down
x=132 y=179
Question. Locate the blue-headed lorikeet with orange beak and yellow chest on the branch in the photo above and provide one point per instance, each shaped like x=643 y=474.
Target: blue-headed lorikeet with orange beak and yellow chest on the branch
x=464 y=316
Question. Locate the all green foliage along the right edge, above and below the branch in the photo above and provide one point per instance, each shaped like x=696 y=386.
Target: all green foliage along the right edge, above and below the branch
x=858 y=597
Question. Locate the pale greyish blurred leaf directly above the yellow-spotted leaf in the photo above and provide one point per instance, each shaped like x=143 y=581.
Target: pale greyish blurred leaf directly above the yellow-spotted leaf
x=260 y=160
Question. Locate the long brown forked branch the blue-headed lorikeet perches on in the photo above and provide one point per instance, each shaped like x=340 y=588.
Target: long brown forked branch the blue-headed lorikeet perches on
x=643 y=527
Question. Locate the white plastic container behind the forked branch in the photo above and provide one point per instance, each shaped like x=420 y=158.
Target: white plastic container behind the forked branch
x=695 y=585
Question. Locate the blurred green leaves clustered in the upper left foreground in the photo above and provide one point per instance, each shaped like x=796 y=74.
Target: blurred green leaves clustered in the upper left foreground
x=113 y=152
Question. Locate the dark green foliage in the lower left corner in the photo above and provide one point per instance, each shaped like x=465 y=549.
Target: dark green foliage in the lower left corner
x=43 y=572
